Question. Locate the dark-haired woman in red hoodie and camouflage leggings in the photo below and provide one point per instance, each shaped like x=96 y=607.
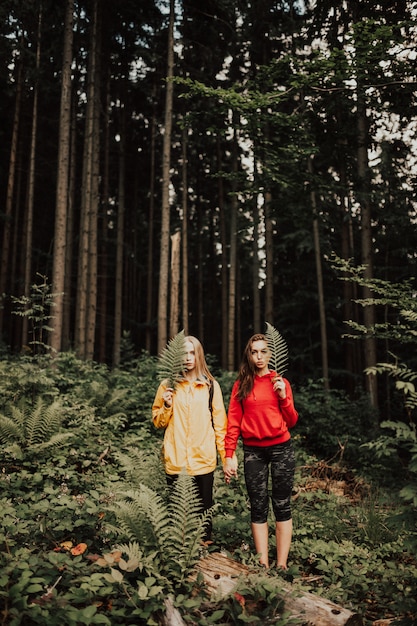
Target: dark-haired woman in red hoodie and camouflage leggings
x=262 y=411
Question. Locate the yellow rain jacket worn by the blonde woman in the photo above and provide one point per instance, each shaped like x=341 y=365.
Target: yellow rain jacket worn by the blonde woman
x=191 y=435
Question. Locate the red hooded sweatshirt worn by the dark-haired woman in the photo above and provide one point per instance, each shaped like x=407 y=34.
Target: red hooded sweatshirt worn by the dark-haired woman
x=262 y=418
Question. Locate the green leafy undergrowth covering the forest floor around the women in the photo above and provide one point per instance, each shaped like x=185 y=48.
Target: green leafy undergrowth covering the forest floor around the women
x=69 y=554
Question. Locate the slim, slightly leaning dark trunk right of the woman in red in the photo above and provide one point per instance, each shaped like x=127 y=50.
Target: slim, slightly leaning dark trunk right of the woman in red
x=320 y=290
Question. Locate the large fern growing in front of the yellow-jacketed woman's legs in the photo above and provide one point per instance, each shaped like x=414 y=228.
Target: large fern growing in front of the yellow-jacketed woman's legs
x=168 y=532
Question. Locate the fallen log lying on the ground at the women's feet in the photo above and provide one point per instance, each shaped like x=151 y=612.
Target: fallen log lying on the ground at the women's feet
x=221 y=576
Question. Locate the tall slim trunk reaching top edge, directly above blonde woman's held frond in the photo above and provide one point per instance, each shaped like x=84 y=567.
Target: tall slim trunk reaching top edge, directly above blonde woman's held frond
x=166 y=162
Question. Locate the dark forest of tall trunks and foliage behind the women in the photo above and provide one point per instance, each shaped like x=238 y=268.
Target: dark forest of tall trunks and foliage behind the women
x=166 y=166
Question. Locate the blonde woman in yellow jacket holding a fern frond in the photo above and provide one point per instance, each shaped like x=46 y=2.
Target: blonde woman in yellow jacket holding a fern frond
x=195 y=422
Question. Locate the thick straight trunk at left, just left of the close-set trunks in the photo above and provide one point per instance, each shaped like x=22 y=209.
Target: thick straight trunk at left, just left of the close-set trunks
x=62 y=188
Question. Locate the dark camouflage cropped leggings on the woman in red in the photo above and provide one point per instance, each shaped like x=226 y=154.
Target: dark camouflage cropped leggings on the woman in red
x=256 y=462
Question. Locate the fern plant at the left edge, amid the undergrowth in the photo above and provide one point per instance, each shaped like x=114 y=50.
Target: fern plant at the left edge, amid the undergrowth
x=31 y=431
